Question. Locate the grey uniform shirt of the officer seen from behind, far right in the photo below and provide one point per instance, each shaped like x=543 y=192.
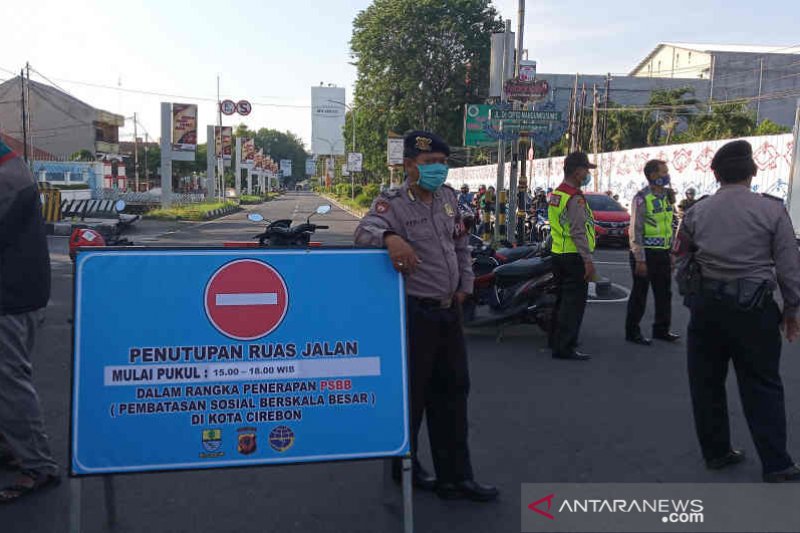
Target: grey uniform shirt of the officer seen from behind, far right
x=739 y=234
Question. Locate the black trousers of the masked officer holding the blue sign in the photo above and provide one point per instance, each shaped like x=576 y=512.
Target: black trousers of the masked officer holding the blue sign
x=439 y=386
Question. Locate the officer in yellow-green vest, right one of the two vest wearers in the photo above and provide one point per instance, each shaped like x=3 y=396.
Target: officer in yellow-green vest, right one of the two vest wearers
x=651 y=257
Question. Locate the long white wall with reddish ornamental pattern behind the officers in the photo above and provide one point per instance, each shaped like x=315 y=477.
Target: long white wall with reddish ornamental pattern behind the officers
x=622 y=172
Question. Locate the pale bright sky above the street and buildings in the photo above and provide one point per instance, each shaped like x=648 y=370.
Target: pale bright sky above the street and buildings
x=272 y=52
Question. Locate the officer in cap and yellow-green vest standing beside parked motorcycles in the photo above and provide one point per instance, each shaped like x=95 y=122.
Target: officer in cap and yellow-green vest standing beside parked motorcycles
x=572 y=231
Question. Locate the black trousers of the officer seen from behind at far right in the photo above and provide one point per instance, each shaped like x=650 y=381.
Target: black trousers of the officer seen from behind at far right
x=720 y=332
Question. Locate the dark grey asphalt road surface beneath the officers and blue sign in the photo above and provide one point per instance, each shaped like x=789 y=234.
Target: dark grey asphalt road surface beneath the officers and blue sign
x=624 y=416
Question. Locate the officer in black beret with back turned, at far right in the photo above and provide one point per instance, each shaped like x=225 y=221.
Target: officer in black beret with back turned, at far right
x=734 y=249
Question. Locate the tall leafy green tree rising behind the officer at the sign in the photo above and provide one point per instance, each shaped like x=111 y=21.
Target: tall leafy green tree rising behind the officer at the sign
x=418 y=63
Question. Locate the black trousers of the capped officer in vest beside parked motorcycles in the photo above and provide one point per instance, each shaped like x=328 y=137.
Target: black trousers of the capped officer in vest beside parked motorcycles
x=570 y=304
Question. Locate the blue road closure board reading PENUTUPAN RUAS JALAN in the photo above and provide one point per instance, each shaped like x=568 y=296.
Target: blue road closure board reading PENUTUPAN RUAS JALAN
x=223 y=358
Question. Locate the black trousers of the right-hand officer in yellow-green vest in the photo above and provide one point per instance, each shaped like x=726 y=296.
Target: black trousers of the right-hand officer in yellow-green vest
x=659 y=276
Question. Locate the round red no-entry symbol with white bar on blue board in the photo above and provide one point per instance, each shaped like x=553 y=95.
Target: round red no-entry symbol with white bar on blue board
x=246 y=299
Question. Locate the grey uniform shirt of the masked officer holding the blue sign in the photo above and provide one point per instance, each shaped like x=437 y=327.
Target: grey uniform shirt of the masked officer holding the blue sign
x=434 y=231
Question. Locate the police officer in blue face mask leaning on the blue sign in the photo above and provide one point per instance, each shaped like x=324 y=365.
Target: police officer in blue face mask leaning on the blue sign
x=420 y=226
